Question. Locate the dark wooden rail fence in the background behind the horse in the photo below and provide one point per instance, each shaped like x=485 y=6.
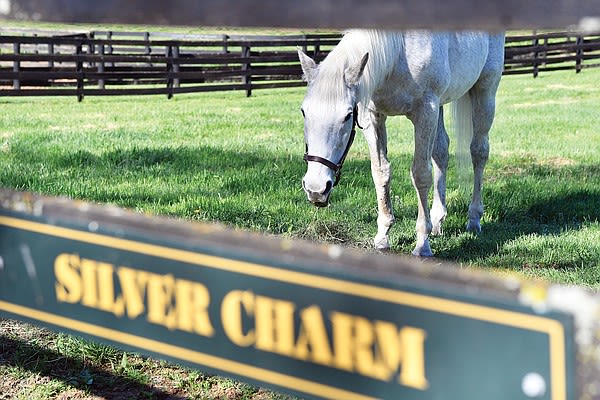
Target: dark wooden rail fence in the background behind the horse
x=136 y=63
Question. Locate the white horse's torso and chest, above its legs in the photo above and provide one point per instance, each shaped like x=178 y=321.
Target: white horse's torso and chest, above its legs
x=446 y=64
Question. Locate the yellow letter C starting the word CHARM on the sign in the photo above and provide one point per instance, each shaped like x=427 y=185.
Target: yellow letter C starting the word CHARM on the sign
x=231 y=316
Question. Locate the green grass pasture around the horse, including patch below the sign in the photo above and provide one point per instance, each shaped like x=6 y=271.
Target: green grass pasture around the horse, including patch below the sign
x=236 y=160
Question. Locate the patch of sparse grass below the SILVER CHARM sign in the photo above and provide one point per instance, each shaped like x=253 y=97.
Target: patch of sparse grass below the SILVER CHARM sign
x=37 y=364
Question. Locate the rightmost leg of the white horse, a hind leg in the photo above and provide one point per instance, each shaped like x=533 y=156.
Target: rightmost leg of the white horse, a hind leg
x=483 y=103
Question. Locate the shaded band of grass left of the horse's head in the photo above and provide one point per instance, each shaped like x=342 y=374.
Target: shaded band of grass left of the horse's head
x=164 y=174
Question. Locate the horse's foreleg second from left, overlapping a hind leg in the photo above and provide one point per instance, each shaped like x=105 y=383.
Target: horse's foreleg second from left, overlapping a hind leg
x=425 y=119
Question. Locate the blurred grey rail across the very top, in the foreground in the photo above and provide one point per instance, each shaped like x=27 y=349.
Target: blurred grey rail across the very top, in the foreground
x=328 y=14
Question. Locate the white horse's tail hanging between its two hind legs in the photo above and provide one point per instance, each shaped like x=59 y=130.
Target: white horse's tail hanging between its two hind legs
x=462 y=117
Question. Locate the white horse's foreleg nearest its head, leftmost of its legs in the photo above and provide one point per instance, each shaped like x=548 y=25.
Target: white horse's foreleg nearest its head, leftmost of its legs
x=376 y=136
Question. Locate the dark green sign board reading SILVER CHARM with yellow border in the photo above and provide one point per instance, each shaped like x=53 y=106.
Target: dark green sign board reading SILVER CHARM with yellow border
x=314 y=321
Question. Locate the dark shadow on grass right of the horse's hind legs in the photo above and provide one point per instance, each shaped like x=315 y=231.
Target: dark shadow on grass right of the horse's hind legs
x=543 y=202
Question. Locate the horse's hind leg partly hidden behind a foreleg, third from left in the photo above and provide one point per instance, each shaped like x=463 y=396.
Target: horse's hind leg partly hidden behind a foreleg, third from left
x=440 y=166
